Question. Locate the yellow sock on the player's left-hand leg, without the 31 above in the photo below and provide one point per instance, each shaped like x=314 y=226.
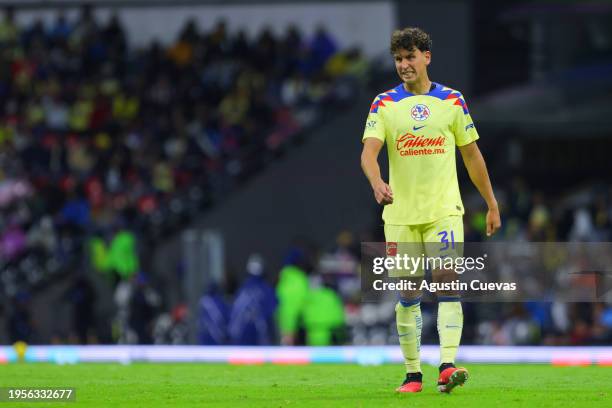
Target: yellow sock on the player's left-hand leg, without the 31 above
x=409 y=325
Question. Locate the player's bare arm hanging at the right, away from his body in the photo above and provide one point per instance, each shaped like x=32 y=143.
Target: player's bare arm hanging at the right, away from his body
x=477 y=169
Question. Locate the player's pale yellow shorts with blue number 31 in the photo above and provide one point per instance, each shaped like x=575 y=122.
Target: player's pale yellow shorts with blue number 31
x=438 y=239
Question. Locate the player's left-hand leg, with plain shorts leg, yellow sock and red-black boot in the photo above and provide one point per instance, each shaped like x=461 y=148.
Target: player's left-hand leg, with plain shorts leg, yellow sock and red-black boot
x=408 y=309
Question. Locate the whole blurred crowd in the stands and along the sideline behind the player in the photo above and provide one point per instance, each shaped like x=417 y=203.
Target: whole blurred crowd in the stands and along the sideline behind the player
x=104 y=149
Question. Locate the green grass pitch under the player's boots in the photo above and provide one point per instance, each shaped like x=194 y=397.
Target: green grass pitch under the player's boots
x=208 y=385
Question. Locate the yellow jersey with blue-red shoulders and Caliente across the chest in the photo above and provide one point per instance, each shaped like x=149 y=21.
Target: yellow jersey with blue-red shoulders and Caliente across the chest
x=421 y=132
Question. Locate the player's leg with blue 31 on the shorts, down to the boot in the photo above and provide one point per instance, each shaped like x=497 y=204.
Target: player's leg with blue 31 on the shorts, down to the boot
x=445 y=239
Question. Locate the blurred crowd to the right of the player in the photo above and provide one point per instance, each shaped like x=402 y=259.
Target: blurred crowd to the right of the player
x=581 y=214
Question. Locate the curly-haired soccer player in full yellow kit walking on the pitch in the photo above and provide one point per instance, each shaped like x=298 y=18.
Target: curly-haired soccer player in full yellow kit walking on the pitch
x=421 y=122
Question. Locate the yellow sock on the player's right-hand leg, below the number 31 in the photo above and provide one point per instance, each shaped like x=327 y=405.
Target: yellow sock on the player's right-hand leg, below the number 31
x=450 y=325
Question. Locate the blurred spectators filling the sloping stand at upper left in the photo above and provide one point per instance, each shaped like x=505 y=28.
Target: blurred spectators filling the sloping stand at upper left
x=106 y=148
